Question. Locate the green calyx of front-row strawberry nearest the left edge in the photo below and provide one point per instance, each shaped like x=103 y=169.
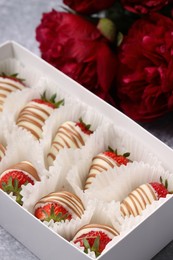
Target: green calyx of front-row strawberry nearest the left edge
x=12 y=186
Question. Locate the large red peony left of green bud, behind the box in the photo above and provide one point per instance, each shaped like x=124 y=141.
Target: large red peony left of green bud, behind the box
x=76 y=47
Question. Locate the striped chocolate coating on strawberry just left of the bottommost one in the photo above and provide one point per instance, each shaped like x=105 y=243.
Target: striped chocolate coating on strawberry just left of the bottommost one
x=68 y=200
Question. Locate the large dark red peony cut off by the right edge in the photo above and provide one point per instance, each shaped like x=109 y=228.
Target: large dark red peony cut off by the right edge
x=145 y=84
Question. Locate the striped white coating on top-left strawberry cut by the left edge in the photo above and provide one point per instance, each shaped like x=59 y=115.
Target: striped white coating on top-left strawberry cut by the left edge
x=6 y=87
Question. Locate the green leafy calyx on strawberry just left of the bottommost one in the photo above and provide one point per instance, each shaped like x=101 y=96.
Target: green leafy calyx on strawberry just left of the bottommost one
x=55 y=217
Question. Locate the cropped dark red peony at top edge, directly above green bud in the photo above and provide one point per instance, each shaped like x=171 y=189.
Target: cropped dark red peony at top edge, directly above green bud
x=89 y=6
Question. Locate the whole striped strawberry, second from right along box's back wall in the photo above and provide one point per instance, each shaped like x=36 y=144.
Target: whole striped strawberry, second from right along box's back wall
x=105 y=161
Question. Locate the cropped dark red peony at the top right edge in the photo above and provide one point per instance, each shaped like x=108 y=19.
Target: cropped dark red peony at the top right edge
x=144 y=6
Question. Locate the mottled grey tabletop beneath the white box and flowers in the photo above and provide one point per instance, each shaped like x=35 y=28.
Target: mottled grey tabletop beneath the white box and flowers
x=18 y=20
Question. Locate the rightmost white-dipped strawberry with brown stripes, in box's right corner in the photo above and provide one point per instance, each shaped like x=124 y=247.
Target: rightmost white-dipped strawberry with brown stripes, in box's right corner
x=144 y=195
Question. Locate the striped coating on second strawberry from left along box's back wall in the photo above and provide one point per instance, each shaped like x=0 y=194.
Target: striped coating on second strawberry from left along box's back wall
x=33 y=116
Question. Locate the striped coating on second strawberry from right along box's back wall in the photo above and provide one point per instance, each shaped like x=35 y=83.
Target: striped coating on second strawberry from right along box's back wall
x=100 y=163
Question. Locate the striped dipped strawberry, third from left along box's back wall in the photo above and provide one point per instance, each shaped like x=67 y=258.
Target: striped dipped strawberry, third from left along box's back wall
x=69 y=135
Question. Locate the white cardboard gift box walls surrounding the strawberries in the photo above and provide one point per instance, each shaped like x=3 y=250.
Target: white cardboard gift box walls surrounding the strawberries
x=141 y=241
